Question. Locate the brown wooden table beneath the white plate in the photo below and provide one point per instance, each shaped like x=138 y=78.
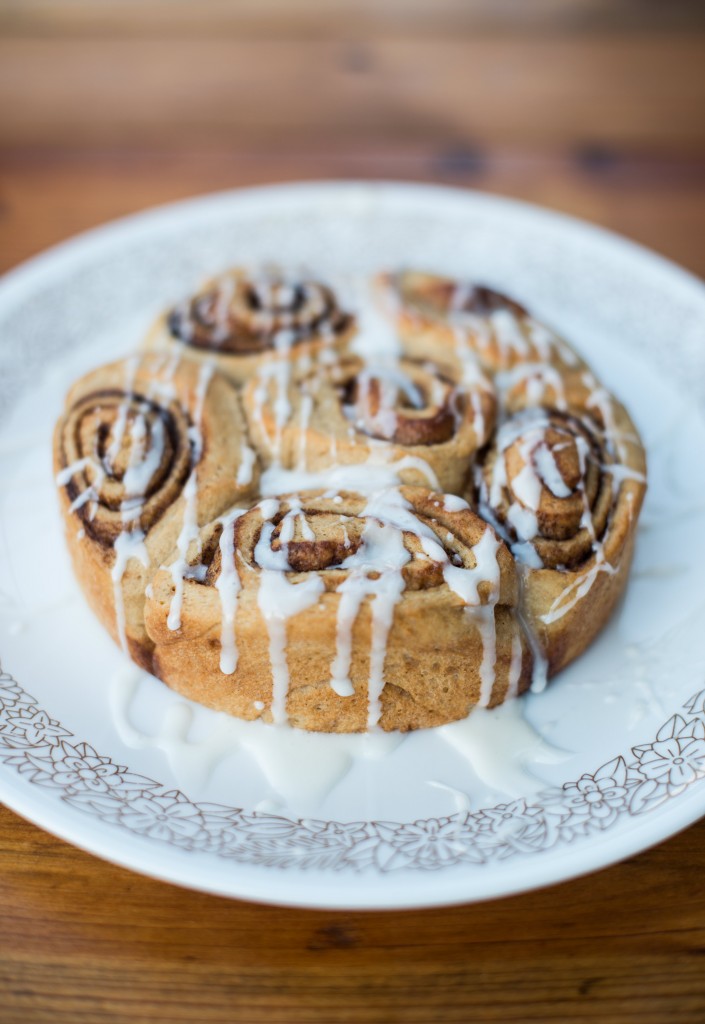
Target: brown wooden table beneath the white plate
x=589 y=108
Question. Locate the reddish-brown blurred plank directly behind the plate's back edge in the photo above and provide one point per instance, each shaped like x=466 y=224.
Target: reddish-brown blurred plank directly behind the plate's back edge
x=50 y=194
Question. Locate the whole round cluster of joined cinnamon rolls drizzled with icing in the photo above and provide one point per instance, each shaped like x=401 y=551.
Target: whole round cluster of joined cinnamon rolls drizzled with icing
x=346 y=520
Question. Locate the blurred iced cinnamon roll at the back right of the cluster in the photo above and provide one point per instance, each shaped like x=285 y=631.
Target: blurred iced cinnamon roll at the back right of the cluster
x=465 y=323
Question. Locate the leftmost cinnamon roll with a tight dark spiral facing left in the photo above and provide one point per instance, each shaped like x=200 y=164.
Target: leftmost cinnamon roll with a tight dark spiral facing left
x=148 y=450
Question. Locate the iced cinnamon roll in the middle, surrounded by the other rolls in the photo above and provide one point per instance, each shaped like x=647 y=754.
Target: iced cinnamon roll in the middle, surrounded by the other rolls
x=409 y=416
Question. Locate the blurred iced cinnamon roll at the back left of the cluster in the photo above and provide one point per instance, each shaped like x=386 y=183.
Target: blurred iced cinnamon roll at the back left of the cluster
x=244 y=321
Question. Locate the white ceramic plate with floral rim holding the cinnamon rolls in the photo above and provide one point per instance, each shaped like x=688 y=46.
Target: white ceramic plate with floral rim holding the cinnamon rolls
x=421 y=826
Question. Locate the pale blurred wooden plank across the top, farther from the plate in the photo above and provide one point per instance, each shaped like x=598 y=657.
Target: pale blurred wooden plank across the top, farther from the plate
x=488 y=90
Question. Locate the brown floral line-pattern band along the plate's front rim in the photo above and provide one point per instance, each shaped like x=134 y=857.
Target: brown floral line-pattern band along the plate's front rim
x=47 y=754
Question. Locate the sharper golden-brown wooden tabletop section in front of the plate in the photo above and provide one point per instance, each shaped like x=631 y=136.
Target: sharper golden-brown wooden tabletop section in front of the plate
x=81 y=941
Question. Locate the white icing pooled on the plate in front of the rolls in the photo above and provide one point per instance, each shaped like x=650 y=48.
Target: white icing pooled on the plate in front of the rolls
x=301 y=769
